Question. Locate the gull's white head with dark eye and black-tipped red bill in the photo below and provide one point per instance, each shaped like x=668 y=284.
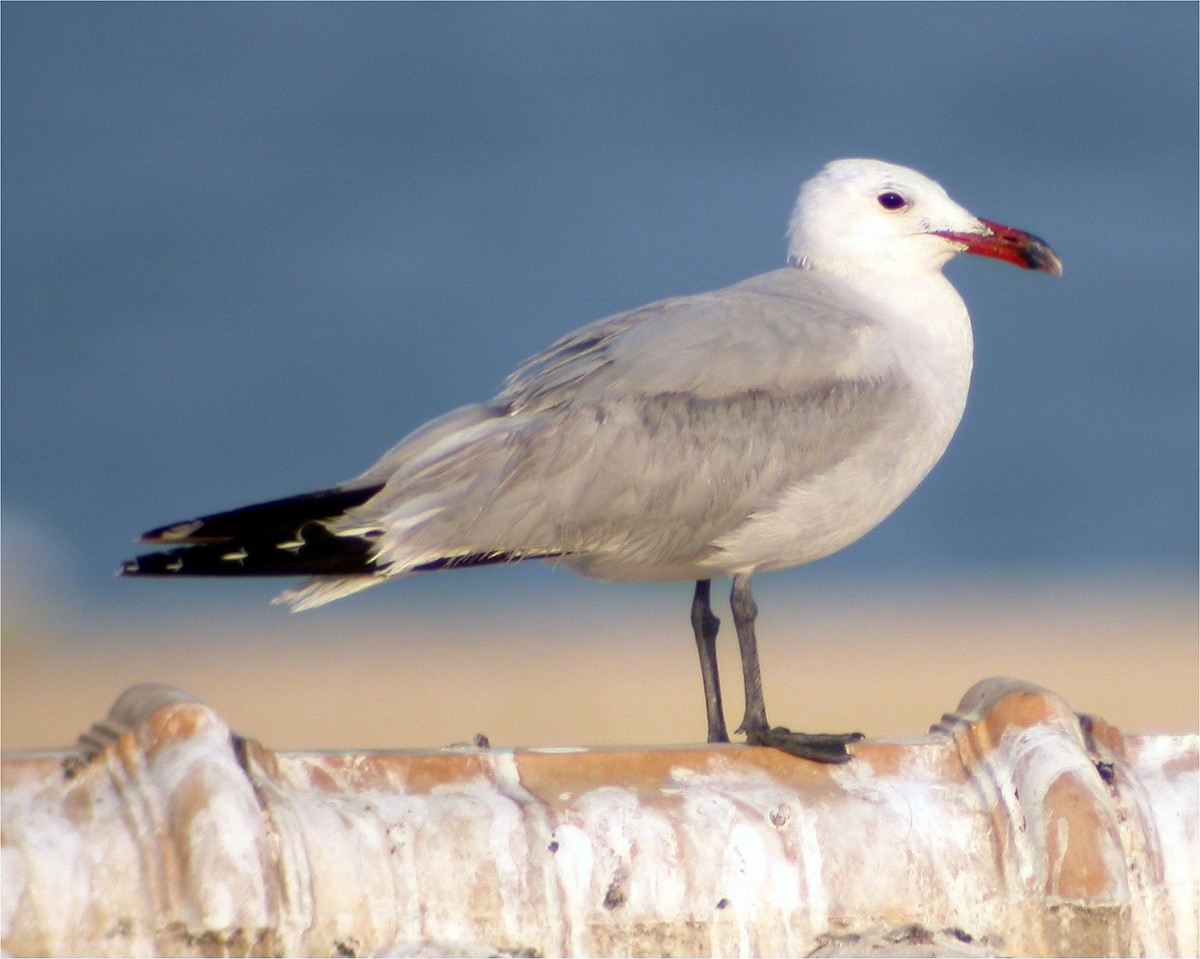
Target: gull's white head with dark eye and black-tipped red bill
x=871 y=217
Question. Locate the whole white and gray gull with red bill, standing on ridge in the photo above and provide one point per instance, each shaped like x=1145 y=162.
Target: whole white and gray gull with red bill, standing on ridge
x=751 y=429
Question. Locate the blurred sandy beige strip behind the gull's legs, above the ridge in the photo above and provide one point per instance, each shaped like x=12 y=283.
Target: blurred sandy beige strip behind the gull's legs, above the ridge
x=623 y=674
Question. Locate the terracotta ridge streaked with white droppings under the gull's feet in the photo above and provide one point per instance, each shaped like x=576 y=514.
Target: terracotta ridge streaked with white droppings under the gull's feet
x=1015 y=829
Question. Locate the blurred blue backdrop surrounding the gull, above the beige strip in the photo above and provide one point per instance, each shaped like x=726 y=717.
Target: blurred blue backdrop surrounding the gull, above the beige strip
x=247 y=248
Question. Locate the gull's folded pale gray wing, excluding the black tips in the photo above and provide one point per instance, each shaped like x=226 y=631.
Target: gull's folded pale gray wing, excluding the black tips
x=640 y=440
